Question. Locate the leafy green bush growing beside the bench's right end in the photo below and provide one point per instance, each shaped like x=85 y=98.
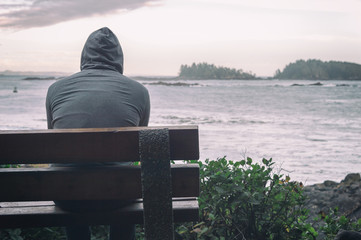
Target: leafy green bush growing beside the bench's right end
x=246 y=200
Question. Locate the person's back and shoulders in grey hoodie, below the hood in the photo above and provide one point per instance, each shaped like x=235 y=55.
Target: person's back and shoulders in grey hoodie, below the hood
x=97 y=98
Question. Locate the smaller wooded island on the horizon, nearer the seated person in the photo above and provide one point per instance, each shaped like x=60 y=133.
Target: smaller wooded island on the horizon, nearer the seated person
x=210 y=71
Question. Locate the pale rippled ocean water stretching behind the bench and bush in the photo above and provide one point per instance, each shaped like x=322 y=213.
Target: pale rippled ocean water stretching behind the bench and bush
x=311 y=129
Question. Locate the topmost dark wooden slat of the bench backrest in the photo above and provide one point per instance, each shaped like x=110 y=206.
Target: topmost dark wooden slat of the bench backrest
x=89 y=145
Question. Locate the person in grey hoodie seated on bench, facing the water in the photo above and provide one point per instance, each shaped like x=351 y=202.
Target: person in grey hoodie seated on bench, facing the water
x=98 y=96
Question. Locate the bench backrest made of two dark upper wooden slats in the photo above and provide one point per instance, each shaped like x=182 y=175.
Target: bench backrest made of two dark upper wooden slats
x=89 y=146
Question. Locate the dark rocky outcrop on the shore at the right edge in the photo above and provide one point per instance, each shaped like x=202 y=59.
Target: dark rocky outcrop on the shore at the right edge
x=345 y=195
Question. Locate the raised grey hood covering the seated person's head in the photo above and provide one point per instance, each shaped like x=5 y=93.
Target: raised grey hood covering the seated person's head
x=102 y=50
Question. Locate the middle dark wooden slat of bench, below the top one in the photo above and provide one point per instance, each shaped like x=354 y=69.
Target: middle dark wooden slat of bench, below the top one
x=93 y=183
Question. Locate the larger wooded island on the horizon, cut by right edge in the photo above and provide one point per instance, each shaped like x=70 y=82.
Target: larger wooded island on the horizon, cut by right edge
x=313 y=69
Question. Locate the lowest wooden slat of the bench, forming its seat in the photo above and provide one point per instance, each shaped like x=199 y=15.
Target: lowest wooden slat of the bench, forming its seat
x=44 y=214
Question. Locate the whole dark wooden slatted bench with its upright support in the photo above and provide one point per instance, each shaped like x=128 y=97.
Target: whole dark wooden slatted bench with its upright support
x=163 y=193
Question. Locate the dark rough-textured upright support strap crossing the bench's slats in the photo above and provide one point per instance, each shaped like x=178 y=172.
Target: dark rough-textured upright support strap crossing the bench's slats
x=157 y=185
